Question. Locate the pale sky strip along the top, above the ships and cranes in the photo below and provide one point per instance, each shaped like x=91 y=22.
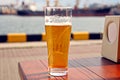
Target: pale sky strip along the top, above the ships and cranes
x=41 y=3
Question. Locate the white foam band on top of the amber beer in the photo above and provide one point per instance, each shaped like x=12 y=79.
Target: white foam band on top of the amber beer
x=58 y=20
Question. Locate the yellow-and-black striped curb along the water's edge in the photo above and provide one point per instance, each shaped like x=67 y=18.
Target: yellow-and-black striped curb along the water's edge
x=23 y=37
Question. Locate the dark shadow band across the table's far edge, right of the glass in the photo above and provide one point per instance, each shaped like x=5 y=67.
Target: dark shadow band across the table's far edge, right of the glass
x=89 y=62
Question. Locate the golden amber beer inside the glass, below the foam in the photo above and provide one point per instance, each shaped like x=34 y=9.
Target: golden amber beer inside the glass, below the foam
x=58 y=39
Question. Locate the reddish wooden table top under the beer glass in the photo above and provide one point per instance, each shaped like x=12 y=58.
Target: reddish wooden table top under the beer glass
x=94 y=68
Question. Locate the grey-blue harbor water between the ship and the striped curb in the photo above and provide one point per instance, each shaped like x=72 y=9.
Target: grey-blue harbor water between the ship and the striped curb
x=35 y=24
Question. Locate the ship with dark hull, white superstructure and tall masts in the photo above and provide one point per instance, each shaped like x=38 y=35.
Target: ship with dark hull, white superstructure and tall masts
x=29 y=10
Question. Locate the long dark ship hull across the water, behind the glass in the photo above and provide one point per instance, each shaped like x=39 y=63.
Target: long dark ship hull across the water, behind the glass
x=75 y=12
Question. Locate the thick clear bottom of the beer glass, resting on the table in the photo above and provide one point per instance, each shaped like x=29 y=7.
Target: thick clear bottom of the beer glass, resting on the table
x=58 y=71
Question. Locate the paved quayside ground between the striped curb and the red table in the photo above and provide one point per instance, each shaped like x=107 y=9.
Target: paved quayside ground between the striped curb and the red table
x=13 y=53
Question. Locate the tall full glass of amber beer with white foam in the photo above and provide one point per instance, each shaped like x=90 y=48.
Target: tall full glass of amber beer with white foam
x=58 y=30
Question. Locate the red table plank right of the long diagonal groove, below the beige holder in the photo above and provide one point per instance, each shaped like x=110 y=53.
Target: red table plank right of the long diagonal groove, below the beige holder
x=102 y=67
